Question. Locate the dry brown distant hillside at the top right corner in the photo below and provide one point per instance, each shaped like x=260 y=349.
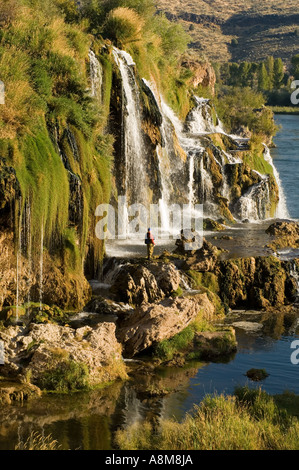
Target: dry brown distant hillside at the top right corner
x=260 y=28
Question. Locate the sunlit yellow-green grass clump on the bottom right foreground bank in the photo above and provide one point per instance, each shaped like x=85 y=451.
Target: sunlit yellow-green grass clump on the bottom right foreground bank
x=250 y=420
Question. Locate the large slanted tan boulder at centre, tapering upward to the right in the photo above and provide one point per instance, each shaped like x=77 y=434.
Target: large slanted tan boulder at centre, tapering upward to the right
x=151 y=324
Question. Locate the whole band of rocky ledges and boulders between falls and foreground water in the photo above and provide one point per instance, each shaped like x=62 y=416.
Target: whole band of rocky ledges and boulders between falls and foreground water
x=165 y=309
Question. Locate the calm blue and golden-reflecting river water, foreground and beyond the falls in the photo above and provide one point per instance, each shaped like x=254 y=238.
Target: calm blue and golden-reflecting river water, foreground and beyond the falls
x=87 y=420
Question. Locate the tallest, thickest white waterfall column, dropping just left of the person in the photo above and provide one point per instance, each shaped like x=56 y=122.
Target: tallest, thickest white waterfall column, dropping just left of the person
x=135 y=188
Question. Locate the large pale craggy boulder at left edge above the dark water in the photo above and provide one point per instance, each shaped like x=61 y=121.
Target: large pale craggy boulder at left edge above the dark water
x=44 y=347
